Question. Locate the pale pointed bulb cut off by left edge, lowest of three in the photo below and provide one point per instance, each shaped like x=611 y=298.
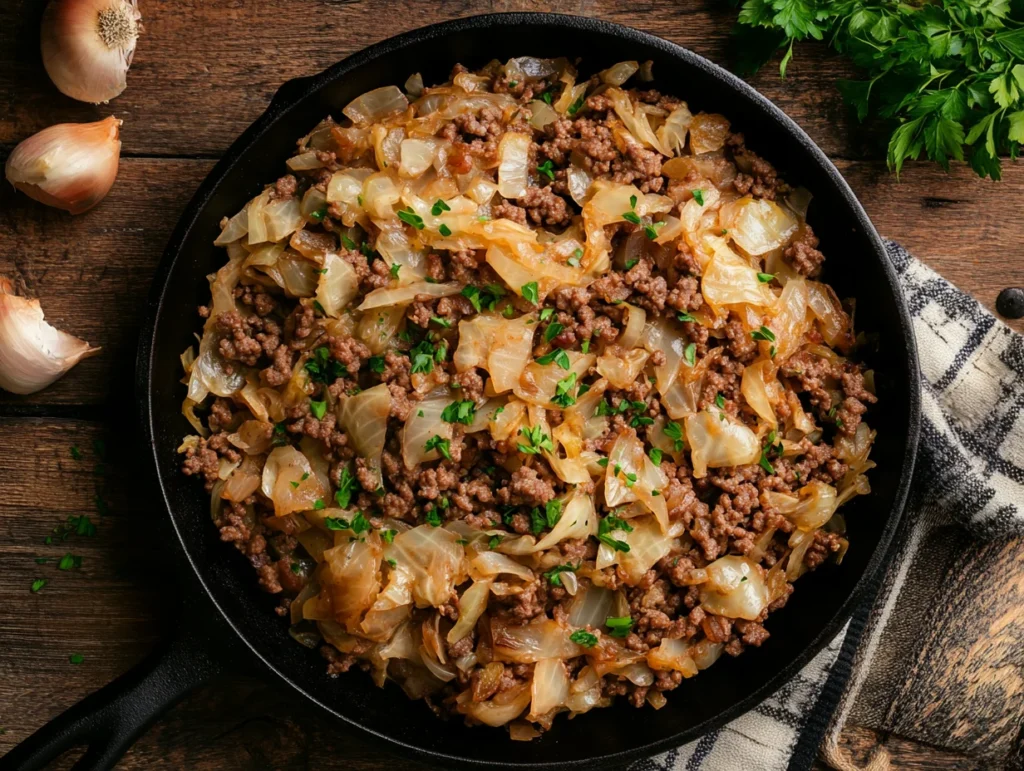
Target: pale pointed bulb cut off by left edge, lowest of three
x=33 y=354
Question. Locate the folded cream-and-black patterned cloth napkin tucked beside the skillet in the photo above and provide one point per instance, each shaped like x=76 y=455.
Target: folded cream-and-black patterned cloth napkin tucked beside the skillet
x=970 y=472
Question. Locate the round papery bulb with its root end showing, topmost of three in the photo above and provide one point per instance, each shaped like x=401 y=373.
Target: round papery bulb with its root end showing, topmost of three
x=89 y=45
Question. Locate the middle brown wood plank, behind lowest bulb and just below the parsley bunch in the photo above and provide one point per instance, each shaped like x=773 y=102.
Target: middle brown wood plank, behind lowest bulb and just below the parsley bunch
x=93 y=273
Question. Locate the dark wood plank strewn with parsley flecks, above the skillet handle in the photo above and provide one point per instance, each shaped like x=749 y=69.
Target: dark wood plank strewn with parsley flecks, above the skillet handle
x=109 y=610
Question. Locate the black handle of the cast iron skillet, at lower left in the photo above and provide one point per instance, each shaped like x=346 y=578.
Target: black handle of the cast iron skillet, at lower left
x=110 y=720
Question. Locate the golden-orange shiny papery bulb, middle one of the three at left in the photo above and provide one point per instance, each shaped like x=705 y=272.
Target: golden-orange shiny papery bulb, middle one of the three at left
x=71 y=166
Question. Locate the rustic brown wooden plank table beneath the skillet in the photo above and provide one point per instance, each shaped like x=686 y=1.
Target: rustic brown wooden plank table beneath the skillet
x=202 y=73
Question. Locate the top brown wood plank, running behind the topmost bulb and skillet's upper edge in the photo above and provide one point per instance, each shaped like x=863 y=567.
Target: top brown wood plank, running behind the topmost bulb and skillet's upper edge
x=203 y=71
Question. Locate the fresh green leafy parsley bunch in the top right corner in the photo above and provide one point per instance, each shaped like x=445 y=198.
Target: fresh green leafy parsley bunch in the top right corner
x=949 y=74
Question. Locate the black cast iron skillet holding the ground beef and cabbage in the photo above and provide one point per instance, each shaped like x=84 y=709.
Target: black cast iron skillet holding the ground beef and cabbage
x=226 y=612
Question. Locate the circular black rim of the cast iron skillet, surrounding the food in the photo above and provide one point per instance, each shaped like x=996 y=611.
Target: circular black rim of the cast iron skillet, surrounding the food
x=293 y=93
